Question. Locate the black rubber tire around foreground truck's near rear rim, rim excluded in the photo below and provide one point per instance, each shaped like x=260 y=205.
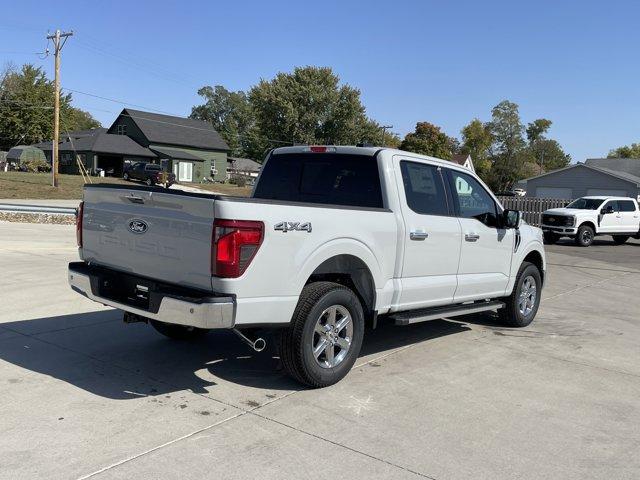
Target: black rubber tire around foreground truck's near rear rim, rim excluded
x=297 y=341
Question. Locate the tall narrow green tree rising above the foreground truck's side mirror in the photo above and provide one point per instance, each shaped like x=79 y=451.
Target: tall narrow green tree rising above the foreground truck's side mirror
x=508 y=145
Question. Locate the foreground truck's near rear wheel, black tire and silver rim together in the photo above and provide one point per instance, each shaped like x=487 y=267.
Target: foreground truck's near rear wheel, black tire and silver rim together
x=325 y=336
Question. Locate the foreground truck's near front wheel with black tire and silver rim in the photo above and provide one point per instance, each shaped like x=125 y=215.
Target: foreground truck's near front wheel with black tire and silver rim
x=522 y=305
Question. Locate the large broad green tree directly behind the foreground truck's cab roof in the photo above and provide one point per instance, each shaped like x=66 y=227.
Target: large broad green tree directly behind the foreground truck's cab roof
x=310 y=106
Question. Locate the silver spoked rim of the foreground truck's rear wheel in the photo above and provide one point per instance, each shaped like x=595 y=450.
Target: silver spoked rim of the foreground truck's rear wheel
x=332 y=336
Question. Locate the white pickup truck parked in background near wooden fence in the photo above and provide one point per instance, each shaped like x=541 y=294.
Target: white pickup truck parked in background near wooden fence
x=587 y=217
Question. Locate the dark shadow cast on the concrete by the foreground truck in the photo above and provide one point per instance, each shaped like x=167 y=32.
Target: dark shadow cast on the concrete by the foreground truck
x=98 y=353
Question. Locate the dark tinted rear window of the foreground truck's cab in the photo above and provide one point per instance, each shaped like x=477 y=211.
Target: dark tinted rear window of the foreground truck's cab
x=324 y=178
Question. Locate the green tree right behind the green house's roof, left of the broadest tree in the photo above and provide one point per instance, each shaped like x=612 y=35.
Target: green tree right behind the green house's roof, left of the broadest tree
x=232 y=116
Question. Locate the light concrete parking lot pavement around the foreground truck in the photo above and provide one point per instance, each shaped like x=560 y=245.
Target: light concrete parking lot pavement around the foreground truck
x=85 y=395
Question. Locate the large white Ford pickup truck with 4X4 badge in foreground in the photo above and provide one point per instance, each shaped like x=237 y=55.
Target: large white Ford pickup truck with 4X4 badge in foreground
x=331 y=239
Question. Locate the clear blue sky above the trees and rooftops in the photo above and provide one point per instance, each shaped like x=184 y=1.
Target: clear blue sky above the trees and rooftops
x=574 y=62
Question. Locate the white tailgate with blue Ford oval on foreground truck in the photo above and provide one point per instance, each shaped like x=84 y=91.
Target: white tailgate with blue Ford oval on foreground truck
x=155 y=233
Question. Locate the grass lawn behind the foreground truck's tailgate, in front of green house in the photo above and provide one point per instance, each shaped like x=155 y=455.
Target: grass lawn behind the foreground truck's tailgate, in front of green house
x=23 y=185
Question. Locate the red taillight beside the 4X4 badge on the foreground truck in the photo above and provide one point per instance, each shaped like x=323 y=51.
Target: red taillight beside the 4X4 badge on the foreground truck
x=235 y=243
